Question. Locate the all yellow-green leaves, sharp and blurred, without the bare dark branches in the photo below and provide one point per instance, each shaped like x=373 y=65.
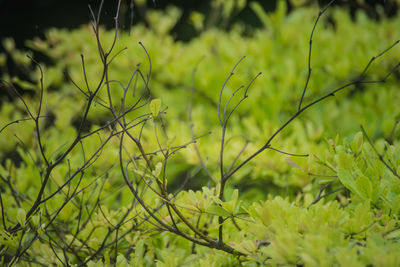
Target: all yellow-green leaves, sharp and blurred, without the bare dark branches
x=358 y=225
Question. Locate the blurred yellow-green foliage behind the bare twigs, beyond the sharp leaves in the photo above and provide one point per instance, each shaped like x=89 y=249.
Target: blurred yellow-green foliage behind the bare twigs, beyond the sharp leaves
x=278 y=49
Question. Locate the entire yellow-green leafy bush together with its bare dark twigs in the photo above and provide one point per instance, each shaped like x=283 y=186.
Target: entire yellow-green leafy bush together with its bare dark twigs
x=126 y=160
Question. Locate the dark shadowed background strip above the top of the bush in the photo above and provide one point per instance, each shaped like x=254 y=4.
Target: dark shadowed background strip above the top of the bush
x=24 y=19
